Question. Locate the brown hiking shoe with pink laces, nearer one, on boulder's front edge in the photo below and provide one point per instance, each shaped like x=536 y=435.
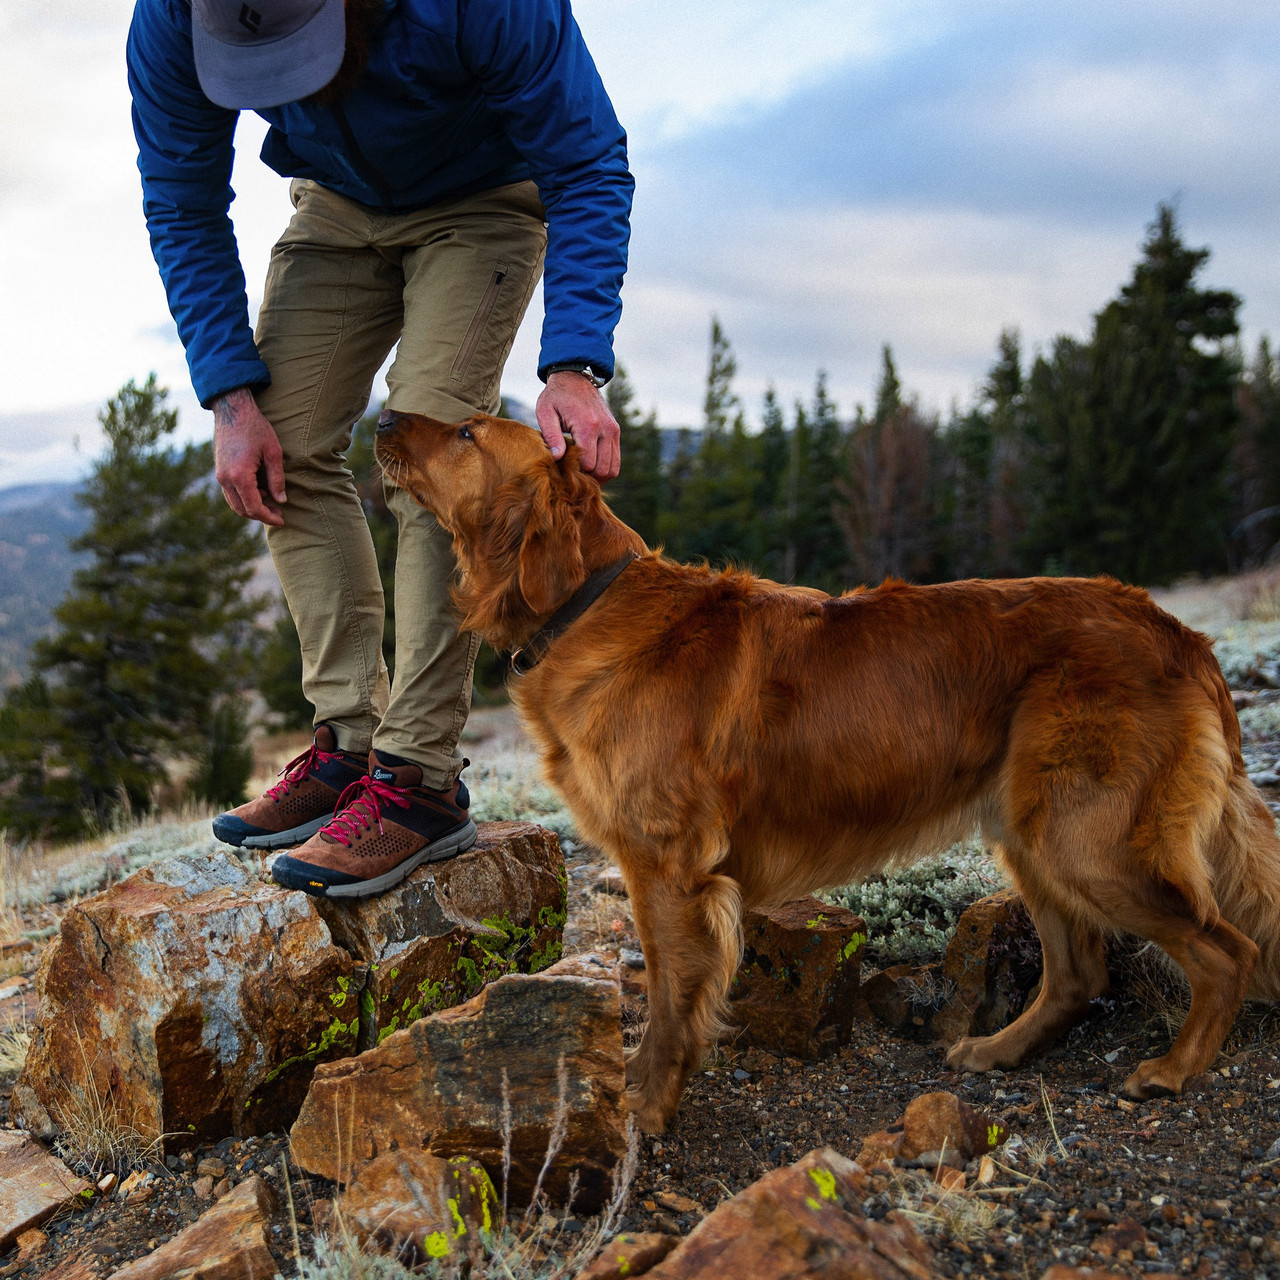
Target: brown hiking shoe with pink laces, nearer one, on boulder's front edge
x=386 y=825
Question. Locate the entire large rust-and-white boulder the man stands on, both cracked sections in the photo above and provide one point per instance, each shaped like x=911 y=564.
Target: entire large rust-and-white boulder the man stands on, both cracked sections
x=194 y=1002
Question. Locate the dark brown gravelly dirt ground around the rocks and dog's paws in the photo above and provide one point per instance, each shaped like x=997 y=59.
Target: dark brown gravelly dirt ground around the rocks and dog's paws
x=1180 y=1186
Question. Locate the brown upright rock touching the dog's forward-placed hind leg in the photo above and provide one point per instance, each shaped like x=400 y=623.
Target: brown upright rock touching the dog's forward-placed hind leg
x=991 y=966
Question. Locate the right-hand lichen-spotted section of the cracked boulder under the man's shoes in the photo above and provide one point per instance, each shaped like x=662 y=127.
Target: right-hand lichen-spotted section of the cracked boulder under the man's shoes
x=451 y=927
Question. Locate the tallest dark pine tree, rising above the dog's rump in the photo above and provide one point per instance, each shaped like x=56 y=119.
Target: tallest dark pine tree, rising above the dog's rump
x=1137 y=428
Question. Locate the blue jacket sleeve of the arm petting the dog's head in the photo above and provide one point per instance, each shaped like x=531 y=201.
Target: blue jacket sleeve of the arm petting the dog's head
x=536 y=71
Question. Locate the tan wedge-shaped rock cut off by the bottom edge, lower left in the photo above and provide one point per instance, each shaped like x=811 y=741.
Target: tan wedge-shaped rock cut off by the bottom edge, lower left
x=227 y=1242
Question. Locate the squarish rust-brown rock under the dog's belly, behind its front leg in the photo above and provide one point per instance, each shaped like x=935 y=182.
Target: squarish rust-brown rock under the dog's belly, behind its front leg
x=798 y=985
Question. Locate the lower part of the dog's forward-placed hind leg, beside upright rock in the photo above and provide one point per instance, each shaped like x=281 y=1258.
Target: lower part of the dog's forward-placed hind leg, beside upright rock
x=1075 y=973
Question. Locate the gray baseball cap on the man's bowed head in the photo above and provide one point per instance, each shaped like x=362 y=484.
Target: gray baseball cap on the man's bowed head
x=264 y=53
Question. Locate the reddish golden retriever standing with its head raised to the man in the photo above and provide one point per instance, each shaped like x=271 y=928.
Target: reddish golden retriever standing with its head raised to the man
x=733 y=743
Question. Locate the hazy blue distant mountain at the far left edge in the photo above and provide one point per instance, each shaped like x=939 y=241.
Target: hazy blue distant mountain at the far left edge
x=36 y=524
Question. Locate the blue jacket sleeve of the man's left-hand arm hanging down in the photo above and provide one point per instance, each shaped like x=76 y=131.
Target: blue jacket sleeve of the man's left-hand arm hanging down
x=185 y=157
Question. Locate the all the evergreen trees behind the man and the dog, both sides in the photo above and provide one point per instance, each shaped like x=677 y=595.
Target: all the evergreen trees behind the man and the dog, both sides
x=1149 y=451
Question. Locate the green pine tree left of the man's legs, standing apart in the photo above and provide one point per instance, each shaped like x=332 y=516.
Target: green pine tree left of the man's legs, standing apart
x=154 y=633
